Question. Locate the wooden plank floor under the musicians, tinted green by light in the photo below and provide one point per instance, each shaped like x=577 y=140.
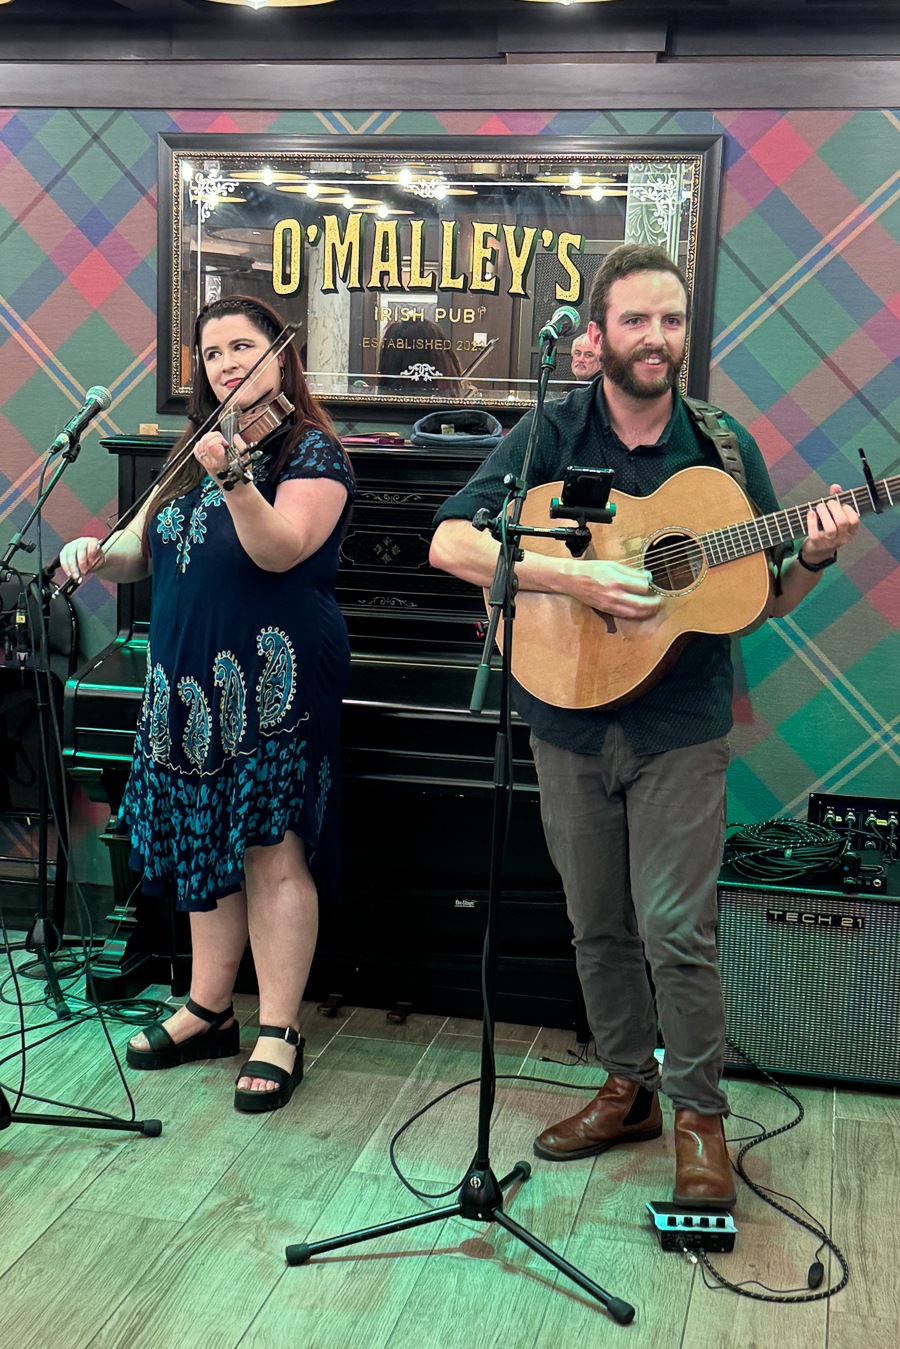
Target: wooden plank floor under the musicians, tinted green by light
x=117 y=1242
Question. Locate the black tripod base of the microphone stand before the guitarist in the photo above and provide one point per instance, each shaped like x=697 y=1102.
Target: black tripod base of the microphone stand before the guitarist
x=481 y=1200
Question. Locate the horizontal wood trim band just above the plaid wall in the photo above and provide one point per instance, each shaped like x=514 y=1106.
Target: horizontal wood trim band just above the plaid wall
x=710 y=84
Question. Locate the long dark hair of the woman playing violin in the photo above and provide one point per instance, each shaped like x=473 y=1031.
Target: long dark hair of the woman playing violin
x=203 y=403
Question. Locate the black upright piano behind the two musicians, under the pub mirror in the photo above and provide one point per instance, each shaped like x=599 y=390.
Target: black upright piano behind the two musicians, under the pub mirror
x=418 y=791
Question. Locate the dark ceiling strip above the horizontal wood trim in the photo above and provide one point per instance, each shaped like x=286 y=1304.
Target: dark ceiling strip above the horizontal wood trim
x=447 y=30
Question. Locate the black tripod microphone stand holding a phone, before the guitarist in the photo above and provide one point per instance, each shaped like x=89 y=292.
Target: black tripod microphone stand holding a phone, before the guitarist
x=481 y=1197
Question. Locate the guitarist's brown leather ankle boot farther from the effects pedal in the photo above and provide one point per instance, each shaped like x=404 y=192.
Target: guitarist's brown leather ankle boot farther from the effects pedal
x=621 y=1112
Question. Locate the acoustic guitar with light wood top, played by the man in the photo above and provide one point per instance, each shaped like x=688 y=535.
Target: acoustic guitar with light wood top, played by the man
x=706 y=554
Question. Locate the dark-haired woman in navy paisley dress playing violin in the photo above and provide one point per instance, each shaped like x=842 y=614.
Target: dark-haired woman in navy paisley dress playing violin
x=233 y=801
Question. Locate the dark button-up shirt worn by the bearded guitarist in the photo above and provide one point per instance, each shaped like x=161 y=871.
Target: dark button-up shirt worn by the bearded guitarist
x=693 y=701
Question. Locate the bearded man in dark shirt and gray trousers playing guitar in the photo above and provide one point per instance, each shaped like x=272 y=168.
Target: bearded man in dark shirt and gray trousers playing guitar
x=634 y=794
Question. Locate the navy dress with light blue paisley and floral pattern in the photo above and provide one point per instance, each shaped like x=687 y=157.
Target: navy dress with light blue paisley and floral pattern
x=240 y=730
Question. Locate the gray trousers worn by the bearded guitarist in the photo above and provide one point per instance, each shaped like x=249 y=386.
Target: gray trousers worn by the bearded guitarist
x=638 y=841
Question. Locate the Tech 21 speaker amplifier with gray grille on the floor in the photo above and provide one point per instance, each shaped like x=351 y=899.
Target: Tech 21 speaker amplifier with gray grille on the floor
x=812 y=980
